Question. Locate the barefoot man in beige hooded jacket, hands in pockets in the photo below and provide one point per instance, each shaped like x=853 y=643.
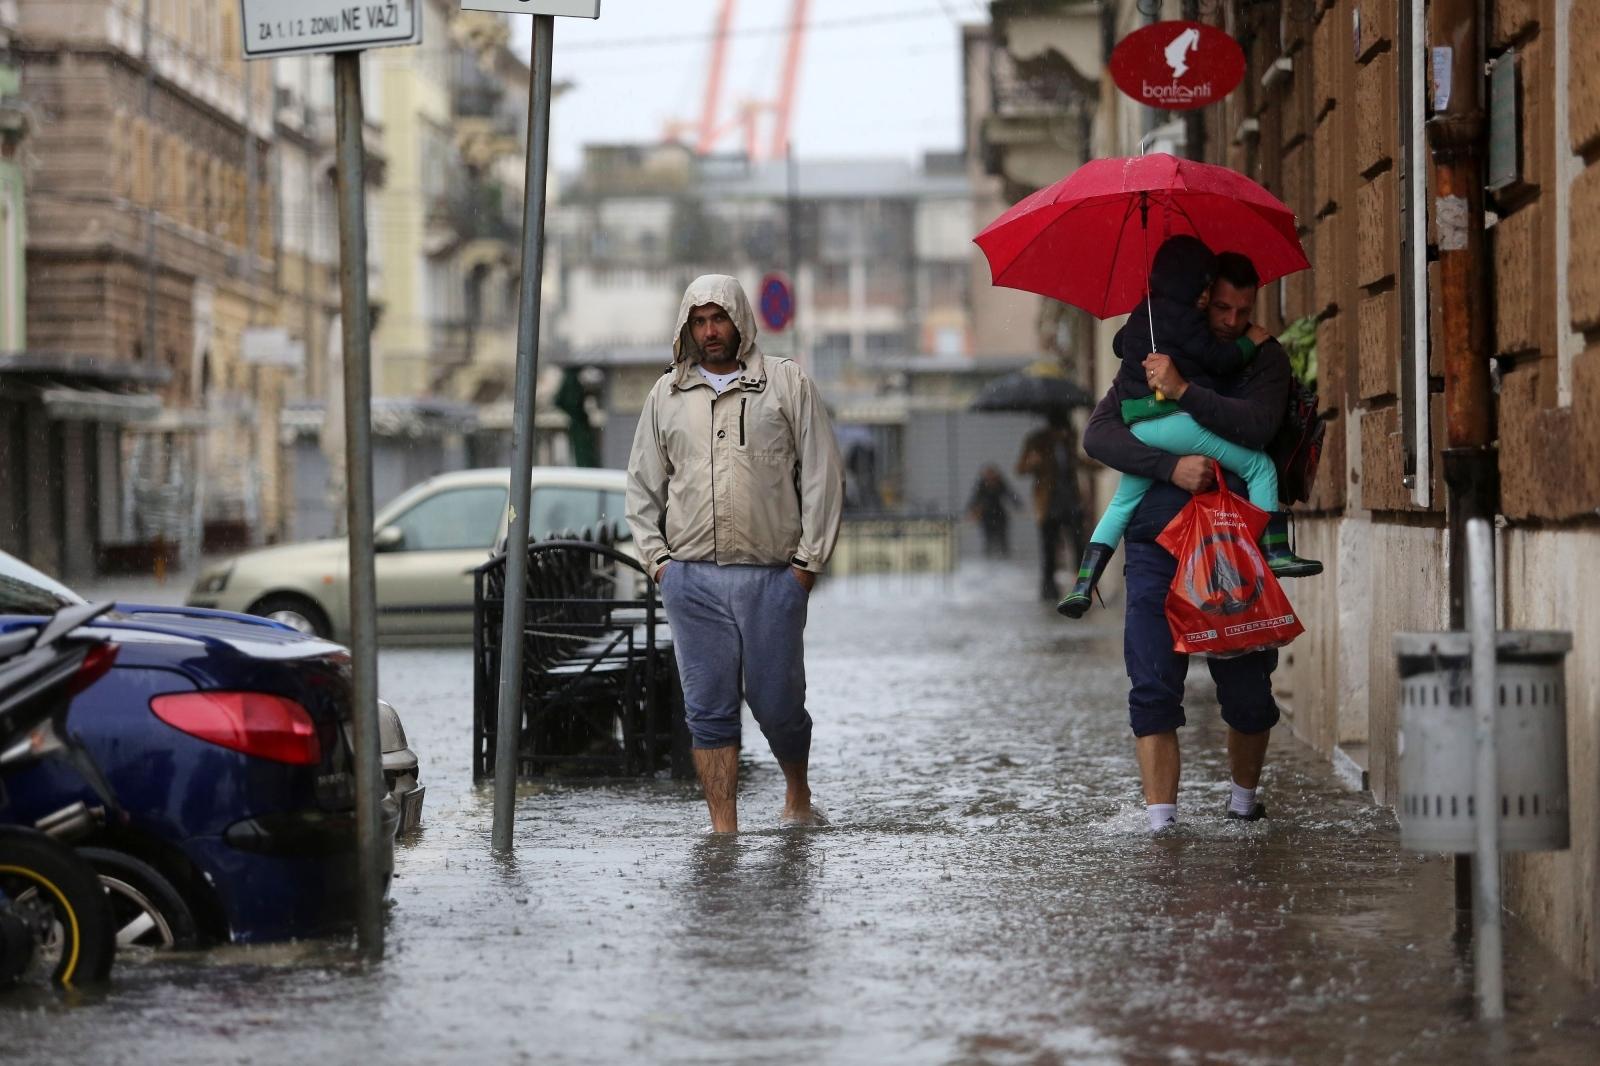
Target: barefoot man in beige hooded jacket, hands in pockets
x=734 y=495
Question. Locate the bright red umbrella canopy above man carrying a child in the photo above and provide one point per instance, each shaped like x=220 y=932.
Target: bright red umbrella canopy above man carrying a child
x=1089 y=239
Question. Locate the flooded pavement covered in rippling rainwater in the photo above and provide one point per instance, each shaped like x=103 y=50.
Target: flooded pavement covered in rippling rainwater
x=986 y=894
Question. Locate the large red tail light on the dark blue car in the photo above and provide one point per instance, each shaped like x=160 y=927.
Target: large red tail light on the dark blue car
x=254 y=723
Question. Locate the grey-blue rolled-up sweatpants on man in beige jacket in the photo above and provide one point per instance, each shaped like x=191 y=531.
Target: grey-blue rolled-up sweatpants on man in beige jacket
x=735 y=625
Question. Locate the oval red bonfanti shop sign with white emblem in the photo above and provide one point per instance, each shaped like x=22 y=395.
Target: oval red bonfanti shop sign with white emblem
x=1178 y=66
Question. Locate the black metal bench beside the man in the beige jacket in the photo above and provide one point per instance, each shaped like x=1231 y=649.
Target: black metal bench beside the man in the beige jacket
x=601 y=692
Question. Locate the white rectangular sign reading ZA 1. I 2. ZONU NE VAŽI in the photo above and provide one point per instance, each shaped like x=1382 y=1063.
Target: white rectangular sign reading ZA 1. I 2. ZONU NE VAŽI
x=287 y=28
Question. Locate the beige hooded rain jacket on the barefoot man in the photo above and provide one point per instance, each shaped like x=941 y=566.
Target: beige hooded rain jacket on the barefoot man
x=751 y=476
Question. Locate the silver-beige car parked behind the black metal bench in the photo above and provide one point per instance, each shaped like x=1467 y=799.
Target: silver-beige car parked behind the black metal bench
x=428 y=543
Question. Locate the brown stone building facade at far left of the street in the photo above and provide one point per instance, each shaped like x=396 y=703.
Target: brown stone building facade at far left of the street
x=150 y=254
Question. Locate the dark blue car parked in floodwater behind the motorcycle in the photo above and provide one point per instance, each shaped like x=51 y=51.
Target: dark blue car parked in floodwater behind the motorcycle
x=226 y=740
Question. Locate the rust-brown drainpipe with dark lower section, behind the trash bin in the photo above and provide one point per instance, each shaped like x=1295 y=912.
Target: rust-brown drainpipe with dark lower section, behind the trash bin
x=1455 y=57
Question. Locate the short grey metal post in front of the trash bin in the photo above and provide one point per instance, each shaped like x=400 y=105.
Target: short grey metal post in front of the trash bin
x=1487 y=900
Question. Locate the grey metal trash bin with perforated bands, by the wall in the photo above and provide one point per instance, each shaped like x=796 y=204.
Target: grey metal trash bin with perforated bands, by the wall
x=1438 y=743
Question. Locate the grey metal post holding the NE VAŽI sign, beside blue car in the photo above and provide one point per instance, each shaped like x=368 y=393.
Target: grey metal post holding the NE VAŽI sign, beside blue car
x=359 y=495
